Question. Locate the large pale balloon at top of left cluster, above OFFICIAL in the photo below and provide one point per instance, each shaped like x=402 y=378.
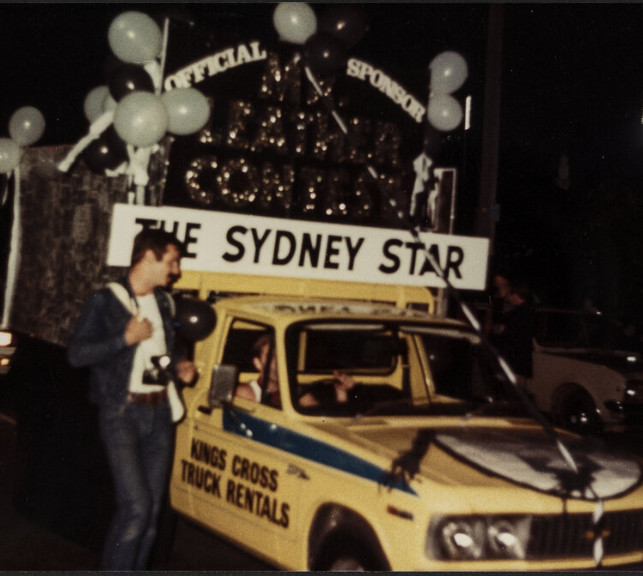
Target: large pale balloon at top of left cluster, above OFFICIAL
x=134 y=37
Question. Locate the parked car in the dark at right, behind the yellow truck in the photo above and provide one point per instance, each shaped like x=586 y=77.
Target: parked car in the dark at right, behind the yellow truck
x=588 y=375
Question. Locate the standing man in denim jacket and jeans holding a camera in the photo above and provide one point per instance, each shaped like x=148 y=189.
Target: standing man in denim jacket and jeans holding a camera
x=125 y=335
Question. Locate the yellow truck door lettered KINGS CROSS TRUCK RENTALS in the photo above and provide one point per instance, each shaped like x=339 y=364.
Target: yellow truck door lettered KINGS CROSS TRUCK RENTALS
x=238 y=478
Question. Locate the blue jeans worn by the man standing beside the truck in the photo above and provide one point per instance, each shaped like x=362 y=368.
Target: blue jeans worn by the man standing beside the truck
x=139 y=440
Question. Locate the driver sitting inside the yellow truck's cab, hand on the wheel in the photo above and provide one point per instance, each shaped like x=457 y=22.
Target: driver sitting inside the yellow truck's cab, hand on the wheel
x=256 y=391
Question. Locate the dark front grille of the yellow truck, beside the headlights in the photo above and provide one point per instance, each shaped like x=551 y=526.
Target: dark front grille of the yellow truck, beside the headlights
x=571 y=534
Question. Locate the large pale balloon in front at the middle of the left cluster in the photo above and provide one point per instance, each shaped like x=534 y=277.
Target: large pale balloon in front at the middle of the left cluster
x=141 y=119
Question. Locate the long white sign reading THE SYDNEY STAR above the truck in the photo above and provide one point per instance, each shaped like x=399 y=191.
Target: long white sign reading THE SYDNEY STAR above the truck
x=243 y=244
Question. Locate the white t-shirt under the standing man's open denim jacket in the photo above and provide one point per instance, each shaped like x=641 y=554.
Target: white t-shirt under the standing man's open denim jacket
x=154 y=346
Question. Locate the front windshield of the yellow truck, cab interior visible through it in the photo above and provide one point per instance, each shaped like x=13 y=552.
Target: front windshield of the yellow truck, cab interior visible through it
x=359 y=368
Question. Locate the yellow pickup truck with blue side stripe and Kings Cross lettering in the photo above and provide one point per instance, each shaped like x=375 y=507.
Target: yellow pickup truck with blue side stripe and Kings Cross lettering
x=429 y=461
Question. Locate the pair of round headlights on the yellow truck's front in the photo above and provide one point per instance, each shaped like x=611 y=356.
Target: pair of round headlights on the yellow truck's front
x=478 y=538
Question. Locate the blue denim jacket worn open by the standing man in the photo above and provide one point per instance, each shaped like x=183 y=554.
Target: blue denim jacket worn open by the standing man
x=98 y=341
